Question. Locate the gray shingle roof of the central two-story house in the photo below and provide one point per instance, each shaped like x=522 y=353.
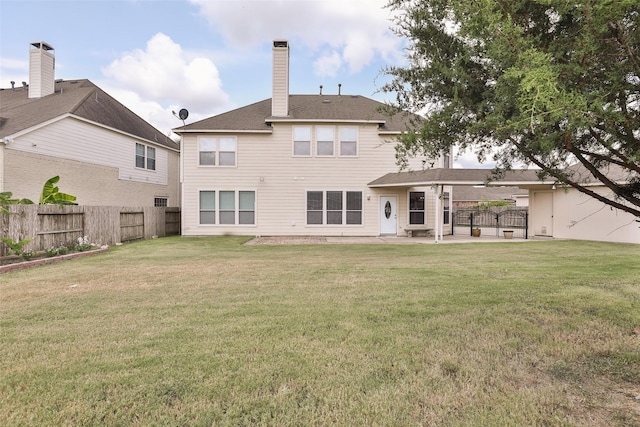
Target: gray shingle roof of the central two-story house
x=353 y=108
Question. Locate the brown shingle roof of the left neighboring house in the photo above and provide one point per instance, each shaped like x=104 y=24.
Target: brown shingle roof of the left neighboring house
x=81 y=98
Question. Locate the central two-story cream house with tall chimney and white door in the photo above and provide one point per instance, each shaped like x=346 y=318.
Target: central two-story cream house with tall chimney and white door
x=300 y=165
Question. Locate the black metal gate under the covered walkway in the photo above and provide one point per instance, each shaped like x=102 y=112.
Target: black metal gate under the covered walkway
x=492 y=222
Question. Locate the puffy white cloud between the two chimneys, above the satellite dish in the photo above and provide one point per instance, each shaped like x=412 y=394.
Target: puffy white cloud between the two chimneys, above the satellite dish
x=162 y=78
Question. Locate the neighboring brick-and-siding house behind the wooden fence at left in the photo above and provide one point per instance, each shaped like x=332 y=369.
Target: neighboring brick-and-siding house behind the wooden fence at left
x=103 y=152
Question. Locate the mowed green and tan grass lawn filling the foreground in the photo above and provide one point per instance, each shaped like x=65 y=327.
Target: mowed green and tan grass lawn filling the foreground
x=188 y=331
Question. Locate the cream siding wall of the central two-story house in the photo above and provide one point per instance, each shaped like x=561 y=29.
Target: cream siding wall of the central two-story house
x=266 y=165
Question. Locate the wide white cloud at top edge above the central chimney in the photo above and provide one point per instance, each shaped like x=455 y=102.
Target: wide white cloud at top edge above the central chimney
x=357 y=30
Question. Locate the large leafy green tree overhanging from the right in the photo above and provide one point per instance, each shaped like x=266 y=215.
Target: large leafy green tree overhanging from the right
x=555 y=84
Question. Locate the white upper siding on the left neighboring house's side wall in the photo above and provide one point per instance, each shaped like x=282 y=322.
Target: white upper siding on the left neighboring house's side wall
x=77 y=140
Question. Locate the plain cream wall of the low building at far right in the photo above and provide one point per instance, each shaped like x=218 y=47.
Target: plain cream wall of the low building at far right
x=581 y=217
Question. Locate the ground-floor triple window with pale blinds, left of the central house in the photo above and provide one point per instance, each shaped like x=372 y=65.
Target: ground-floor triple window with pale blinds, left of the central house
x=228 y=207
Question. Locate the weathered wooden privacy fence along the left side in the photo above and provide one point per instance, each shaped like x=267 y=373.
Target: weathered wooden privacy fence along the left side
x=55 y=226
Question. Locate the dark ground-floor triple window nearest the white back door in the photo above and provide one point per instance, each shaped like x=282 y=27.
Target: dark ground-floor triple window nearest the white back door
x=334 y=208
